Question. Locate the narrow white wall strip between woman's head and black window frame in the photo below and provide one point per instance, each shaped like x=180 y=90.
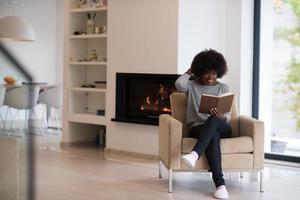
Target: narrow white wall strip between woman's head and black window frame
x=239 y=51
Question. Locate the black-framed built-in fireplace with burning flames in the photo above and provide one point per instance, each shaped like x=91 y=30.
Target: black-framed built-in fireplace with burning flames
x=141 y=98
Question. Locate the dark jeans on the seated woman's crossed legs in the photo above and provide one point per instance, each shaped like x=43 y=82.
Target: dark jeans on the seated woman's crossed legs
x=208 y=136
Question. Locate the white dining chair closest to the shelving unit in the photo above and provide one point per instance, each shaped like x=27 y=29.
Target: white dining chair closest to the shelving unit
x=52 y=98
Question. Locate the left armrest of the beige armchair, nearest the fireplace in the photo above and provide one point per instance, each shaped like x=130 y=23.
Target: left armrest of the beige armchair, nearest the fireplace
x=170 y=135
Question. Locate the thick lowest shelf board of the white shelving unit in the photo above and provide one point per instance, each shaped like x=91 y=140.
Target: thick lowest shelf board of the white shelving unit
x=87 y=118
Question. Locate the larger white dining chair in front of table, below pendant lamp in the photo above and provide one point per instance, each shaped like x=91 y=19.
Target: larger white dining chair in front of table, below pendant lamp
x=18 y=98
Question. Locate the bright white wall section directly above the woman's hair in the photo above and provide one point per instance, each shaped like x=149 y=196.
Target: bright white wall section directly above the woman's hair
x=202 y=24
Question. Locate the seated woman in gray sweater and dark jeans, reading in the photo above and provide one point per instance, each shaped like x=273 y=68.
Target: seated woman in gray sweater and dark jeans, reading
x=201 y=78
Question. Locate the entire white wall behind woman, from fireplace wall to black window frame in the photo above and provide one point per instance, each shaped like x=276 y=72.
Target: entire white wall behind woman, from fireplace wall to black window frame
x=226 y=26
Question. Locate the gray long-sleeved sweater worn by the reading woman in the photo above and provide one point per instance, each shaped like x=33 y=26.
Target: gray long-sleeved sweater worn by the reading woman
x=194 y=91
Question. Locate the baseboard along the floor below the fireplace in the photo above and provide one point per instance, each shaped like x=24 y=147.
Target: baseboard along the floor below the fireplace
x=108 y=151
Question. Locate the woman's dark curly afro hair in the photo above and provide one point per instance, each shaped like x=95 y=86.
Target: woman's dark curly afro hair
x=209 y=60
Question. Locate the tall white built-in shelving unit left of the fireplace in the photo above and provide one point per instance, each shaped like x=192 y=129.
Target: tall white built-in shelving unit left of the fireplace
x=84 y=106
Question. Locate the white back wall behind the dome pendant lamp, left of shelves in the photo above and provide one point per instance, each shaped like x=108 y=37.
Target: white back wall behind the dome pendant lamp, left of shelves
x=43 y=57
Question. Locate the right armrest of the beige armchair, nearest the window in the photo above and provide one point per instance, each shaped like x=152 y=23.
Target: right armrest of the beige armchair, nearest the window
x=255 y=129
